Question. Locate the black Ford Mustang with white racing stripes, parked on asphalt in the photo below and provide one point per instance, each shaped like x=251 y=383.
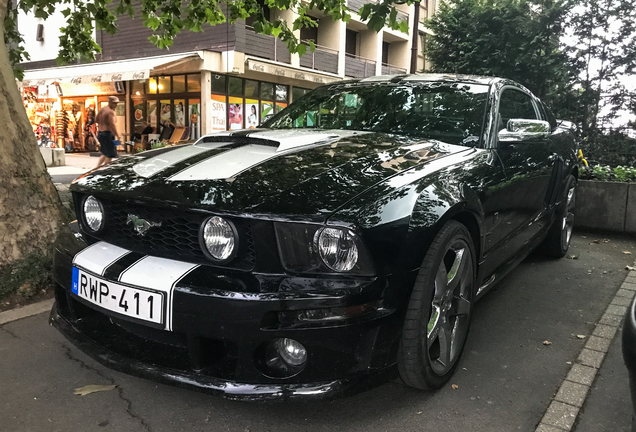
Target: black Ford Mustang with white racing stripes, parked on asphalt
x=342 y=243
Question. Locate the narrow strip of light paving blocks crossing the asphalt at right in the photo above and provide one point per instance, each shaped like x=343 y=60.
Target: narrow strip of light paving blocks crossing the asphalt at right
x=564 y=409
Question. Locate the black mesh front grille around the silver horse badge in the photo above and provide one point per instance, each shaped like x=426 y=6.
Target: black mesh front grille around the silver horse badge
x=176 y=238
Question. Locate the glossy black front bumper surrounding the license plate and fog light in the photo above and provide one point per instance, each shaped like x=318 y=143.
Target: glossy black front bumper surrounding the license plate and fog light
x=218 y=335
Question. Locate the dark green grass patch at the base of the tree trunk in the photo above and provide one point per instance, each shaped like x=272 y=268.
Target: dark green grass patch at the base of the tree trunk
x=27 y=276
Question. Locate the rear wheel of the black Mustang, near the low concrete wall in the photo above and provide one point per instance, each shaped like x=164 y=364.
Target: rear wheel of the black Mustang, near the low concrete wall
x=557 y=242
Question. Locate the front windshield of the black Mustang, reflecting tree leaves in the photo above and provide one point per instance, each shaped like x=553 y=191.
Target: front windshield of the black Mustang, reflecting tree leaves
x=450 y=112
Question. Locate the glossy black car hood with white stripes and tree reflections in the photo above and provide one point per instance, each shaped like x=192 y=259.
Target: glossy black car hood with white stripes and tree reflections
x=300 y=173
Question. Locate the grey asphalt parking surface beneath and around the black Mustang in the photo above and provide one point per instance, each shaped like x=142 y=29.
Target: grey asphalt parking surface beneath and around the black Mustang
x=505 y=381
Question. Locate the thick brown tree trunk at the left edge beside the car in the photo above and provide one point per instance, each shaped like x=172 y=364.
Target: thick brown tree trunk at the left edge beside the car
x=30 y=208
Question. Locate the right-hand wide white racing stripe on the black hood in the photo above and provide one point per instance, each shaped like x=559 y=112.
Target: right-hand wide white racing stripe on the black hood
x=233 y=162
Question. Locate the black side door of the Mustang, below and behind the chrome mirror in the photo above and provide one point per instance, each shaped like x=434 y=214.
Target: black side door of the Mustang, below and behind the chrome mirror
x=528 y=164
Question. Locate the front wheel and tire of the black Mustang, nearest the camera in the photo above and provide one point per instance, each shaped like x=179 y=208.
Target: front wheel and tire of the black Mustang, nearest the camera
x=439 y=310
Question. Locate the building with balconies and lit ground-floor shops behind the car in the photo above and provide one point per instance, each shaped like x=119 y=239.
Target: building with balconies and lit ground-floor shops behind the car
x=226 y=77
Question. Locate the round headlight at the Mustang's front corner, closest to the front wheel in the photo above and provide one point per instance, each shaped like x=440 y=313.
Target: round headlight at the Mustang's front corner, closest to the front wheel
x=337 y=248
